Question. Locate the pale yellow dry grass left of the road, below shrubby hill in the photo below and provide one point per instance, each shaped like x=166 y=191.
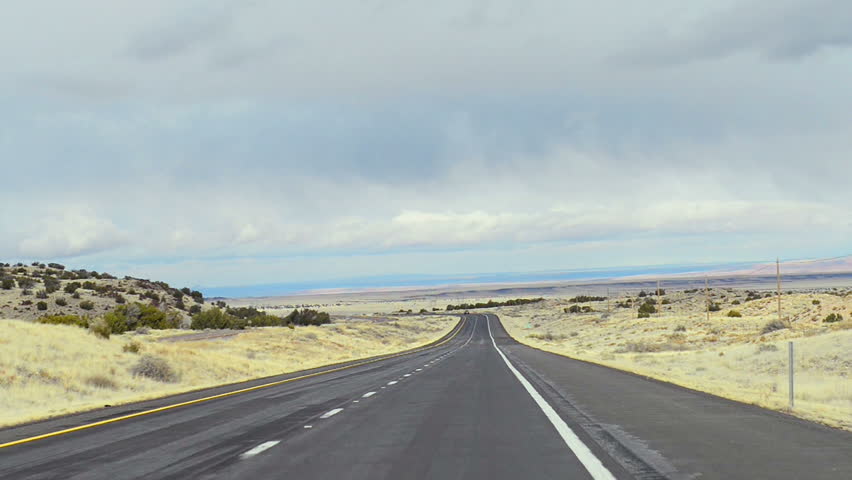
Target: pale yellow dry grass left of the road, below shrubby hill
x=48 y=370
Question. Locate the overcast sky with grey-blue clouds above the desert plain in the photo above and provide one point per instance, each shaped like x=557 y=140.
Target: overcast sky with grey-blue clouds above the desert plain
x=244 y=142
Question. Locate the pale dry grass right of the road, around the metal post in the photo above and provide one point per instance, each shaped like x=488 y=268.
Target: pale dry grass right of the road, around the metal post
x=731 y=357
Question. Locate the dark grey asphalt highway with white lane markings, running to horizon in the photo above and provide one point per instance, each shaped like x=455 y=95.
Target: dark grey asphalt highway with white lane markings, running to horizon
x=480 y=406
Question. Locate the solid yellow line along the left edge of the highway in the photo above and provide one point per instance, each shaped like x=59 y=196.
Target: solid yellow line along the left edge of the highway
x=458 y=328
